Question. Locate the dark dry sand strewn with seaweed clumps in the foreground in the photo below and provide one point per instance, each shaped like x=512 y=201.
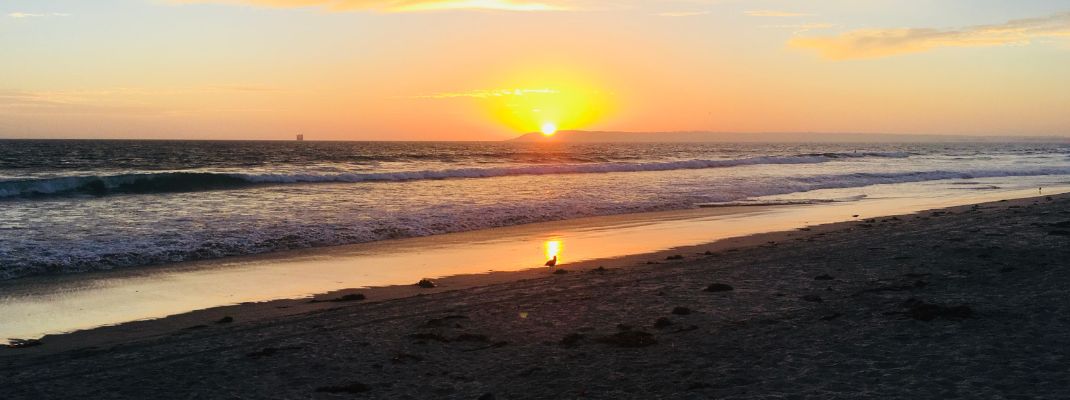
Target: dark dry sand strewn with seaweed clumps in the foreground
x=965 y=303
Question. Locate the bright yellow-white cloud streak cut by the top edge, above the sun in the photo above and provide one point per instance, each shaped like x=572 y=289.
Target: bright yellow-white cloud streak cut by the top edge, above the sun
x=402 y=6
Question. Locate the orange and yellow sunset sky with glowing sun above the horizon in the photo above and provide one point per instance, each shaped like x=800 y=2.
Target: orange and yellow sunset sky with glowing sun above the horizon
x=491 y=70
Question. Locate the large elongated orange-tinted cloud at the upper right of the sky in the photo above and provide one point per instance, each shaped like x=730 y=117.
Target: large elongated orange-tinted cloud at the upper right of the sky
x=877 y=43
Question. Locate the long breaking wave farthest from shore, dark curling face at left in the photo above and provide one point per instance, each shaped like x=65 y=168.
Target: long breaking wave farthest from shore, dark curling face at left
x=178 y=182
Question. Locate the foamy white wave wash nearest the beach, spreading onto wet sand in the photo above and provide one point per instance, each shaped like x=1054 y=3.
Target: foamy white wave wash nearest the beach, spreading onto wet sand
x=173 y=240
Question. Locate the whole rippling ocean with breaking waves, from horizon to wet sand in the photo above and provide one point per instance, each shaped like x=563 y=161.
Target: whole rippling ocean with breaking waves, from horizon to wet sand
x=81 y=206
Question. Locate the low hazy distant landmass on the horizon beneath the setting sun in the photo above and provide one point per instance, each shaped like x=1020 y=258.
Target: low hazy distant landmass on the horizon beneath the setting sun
x=593 y=137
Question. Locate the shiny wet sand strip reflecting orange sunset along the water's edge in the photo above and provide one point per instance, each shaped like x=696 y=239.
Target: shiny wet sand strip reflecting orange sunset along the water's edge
x=50 y=305
